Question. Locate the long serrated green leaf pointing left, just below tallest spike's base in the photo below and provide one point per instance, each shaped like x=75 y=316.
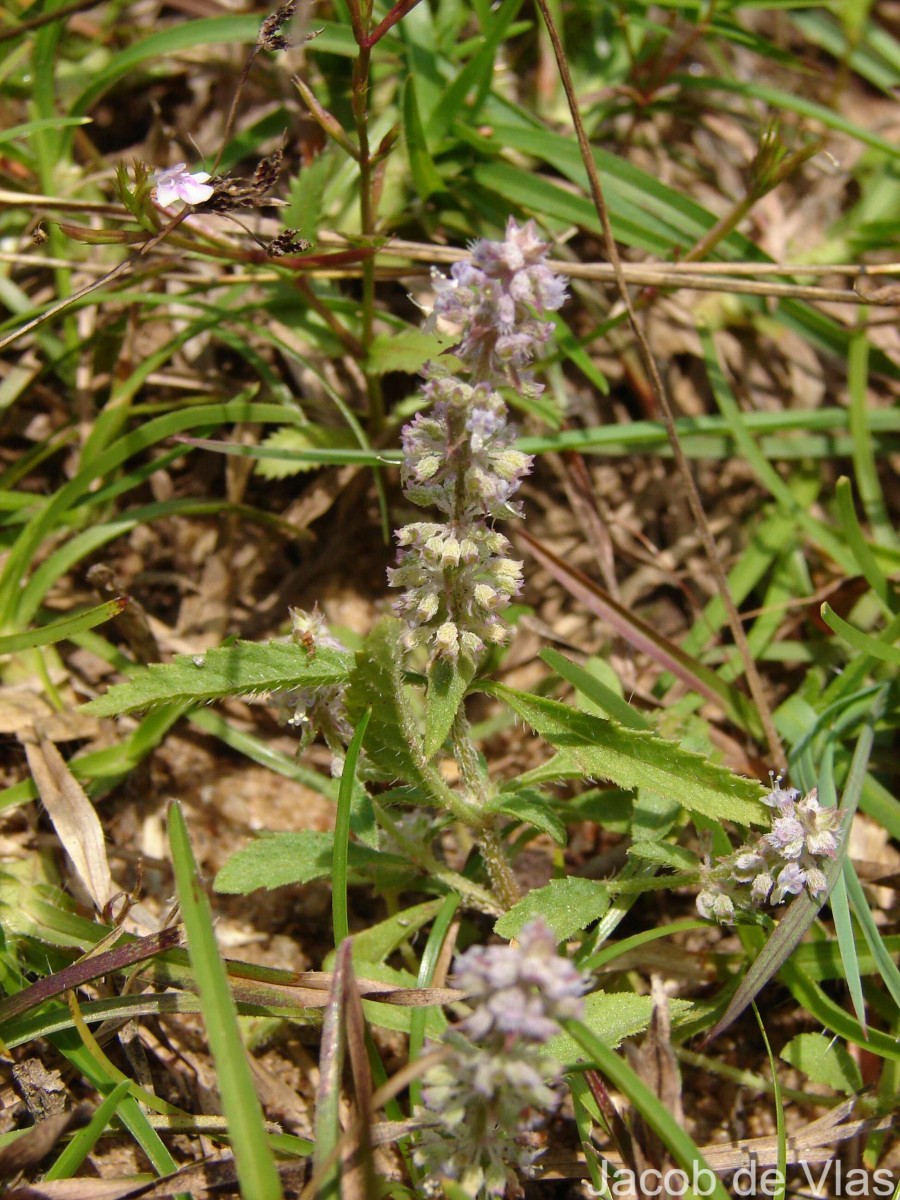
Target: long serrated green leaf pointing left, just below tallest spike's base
x=245 y=669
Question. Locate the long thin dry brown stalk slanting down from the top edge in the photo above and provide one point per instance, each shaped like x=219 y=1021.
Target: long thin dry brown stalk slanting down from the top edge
x=650 y=364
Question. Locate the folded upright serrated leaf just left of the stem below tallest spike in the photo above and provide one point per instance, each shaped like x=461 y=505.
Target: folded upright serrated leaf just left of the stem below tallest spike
x=393 y=741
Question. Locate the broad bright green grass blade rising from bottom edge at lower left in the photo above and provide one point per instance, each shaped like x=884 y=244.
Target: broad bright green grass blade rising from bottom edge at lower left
x=247 y=1129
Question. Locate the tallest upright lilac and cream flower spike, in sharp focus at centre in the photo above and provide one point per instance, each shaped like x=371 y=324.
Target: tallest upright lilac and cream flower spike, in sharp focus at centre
x=459 y=457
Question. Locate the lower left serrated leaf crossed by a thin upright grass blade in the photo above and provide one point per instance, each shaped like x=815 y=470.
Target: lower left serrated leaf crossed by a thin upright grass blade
x=277 y=860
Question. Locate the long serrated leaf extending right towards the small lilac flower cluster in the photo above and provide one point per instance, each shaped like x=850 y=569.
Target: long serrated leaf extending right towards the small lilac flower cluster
x=595 y=748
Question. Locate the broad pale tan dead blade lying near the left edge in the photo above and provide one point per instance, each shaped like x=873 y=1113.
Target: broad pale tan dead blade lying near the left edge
x=74 y=818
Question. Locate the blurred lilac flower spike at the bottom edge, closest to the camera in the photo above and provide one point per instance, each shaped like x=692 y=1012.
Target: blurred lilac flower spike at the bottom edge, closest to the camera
x=484 y=1103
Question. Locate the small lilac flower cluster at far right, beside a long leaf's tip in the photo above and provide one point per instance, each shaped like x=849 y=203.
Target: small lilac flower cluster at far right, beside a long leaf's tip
x=788 y=860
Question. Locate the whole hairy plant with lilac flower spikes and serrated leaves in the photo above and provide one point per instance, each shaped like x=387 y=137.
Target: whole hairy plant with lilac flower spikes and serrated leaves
x=393 y=741
